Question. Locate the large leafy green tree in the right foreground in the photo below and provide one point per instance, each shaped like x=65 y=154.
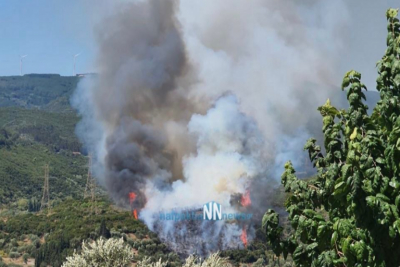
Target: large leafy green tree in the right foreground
x=349 y=214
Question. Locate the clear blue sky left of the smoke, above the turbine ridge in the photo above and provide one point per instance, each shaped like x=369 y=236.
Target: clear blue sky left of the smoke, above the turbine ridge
x=49 y=32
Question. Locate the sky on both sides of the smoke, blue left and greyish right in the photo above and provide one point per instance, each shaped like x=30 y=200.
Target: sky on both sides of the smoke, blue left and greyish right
x=50 y=32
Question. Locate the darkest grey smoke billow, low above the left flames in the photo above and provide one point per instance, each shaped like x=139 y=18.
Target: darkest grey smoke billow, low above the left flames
x=135 y=154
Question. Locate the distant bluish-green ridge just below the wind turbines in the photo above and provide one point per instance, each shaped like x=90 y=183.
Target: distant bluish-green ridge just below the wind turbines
x=49 y=92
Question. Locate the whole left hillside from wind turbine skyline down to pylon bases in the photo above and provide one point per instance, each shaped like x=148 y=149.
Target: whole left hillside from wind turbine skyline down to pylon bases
x=37 y=127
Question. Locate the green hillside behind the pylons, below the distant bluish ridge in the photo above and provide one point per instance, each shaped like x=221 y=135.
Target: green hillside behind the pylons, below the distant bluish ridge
x=29 y=139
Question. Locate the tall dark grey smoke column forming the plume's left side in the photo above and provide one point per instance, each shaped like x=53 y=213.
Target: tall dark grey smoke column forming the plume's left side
x=141 y=56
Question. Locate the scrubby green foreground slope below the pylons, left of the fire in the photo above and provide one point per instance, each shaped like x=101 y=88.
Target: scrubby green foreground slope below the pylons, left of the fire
x=51 y=237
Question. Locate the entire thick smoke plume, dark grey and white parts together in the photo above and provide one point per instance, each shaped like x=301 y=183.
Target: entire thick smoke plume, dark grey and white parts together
x=199 y=101
